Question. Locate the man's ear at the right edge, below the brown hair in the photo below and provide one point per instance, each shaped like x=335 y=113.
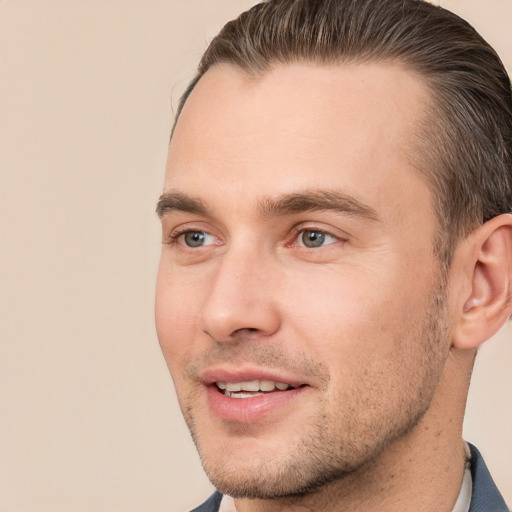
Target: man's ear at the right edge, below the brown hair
x=486 y=303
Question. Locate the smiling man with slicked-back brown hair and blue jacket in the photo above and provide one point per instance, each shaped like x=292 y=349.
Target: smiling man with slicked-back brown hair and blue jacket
x=337 y=243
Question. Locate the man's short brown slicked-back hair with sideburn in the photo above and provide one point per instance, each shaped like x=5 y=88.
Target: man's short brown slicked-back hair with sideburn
x=464 y=144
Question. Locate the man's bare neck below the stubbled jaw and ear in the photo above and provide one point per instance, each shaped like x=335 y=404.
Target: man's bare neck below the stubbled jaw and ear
x=423 y=469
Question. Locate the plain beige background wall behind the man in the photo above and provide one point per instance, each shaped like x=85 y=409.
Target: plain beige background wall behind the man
x=88 y=418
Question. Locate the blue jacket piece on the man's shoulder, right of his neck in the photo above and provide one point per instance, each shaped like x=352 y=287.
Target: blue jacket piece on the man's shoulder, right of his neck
x=485 y=496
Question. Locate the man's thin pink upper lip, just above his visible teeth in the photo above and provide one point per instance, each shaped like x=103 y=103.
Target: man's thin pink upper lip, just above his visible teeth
x=224 y=374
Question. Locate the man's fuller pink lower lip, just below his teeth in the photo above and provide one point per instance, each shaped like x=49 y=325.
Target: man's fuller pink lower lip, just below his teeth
x=249 y=410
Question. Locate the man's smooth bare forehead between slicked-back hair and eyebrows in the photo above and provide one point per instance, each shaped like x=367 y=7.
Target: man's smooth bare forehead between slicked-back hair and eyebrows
x=299 y=126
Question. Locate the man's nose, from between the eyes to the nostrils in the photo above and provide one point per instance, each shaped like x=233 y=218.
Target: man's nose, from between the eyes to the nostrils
x=241 y=299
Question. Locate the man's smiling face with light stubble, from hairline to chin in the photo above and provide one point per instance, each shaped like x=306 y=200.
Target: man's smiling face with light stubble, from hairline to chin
x=299 y=305
